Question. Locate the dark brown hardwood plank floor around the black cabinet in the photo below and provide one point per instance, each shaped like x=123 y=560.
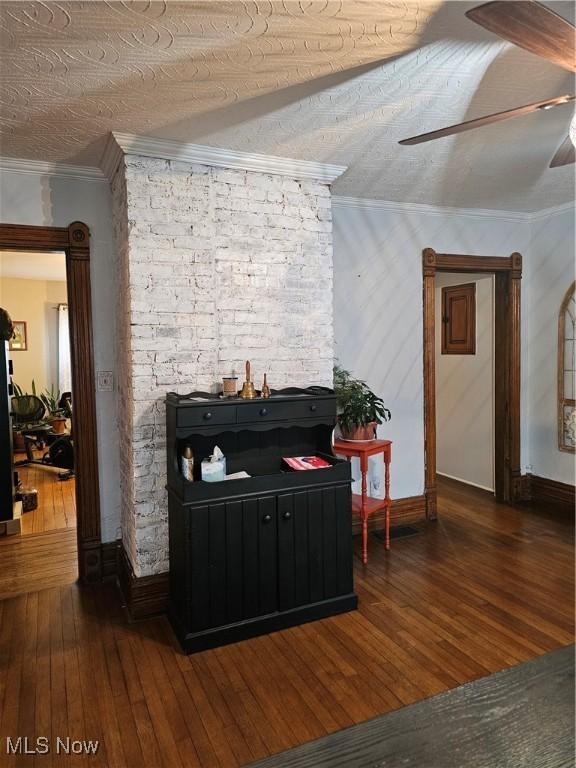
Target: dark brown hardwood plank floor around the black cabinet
x=485 y=587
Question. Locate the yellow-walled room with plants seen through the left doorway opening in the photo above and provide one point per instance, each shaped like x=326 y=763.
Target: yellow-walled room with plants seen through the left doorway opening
x=33 y=290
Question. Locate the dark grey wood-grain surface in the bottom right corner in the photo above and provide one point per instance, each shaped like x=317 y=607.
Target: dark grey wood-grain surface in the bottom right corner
x=522 y=717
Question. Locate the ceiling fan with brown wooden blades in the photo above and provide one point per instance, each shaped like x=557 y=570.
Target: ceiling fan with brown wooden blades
x=537 y=29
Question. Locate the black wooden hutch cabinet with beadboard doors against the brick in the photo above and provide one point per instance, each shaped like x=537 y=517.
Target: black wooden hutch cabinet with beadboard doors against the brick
x=254 y=555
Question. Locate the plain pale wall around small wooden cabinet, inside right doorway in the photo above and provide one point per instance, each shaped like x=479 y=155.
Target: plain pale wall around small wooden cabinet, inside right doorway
x=465 y=392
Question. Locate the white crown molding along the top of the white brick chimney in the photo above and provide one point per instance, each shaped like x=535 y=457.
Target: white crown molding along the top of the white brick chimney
x=164 y=149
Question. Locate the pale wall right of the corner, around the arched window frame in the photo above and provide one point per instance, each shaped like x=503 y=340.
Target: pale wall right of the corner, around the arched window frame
x=550 y=273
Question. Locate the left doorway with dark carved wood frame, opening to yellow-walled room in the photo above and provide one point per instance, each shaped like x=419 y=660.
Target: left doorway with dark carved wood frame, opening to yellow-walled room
x=53 y=421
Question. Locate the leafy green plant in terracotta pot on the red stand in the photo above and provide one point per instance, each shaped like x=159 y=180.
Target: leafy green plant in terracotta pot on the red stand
x=359 y=409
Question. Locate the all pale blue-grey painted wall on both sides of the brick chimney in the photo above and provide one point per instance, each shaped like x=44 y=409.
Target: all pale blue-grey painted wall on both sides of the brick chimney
x=378 y=311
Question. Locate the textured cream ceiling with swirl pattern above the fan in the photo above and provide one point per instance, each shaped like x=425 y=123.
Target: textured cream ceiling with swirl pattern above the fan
x=326 y=80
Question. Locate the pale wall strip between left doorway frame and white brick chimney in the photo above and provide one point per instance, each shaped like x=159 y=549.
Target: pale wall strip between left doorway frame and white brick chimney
x=49 y=200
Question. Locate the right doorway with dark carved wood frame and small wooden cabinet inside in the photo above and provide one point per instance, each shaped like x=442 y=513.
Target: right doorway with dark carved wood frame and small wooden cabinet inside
x=457 y=282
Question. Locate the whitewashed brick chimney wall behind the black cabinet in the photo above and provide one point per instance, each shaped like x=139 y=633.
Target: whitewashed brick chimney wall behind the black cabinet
x=216 y=267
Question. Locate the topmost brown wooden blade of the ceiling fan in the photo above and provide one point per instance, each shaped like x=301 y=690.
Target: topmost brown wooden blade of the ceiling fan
x=531 y=26
